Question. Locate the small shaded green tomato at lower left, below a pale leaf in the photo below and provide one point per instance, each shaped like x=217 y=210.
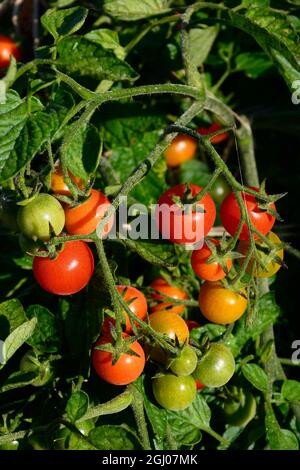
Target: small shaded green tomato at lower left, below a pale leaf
x=43 y=369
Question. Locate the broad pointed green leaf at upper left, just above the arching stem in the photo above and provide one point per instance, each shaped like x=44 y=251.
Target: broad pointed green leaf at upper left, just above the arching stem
x=80 y=56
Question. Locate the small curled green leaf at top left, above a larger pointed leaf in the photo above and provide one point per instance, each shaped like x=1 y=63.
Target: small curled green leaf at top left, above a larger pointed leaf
x=64 y=22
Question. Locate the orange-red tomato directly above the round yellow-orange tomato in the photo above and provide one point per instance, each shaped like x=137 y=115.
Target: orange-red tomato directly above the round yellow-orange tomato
x=208 y=271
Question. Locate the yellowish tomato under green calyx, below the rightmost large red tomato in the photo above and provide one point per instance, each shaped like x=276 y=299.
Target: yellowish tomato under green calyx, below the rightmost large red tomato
x=271 y=266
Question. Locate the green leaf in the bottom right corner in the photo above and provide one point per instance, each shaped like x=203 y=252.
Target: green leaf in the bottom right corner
x=279 y=439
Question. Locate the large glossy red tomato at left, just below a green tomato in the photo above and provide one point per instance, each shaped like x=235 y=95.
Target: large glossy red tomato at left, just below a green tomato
x=69 y=272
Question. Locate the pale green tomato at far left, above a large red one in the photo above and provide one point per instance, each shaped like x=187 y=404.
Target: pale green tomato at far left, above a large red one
x=40 y=216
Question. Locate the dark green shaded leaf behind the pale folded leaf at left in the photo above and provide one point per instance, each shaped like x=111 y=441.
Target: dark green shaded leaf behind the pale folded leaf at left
x=46 y=337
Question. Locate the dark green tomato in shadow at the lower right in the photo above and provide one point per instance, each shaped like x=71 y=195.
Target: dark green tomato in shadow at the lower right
x=240 y=412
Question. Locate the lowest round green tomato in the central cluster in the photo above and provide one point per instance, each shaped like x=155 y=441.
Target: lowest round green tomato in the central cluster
x=174 y=393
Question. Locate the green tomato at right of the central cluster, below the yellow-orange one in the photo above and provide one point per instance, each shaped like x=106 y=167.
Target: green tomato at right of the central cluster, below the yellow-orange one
x=216 y=367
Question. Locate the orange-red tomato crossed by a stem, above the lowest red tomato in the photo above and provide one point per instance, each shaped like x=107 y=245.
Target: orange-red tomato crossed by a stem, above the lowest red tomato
x=136 y=302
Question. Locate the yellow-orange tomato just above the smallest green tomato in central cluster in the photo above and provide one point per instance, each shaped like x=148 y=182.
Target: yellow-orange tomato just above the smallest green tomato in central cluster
x=170 y=324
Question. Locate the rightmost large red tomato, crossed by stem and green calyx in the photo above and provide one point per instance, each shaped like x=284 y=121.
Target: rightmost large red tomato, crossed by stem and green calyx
x=230 y=215
